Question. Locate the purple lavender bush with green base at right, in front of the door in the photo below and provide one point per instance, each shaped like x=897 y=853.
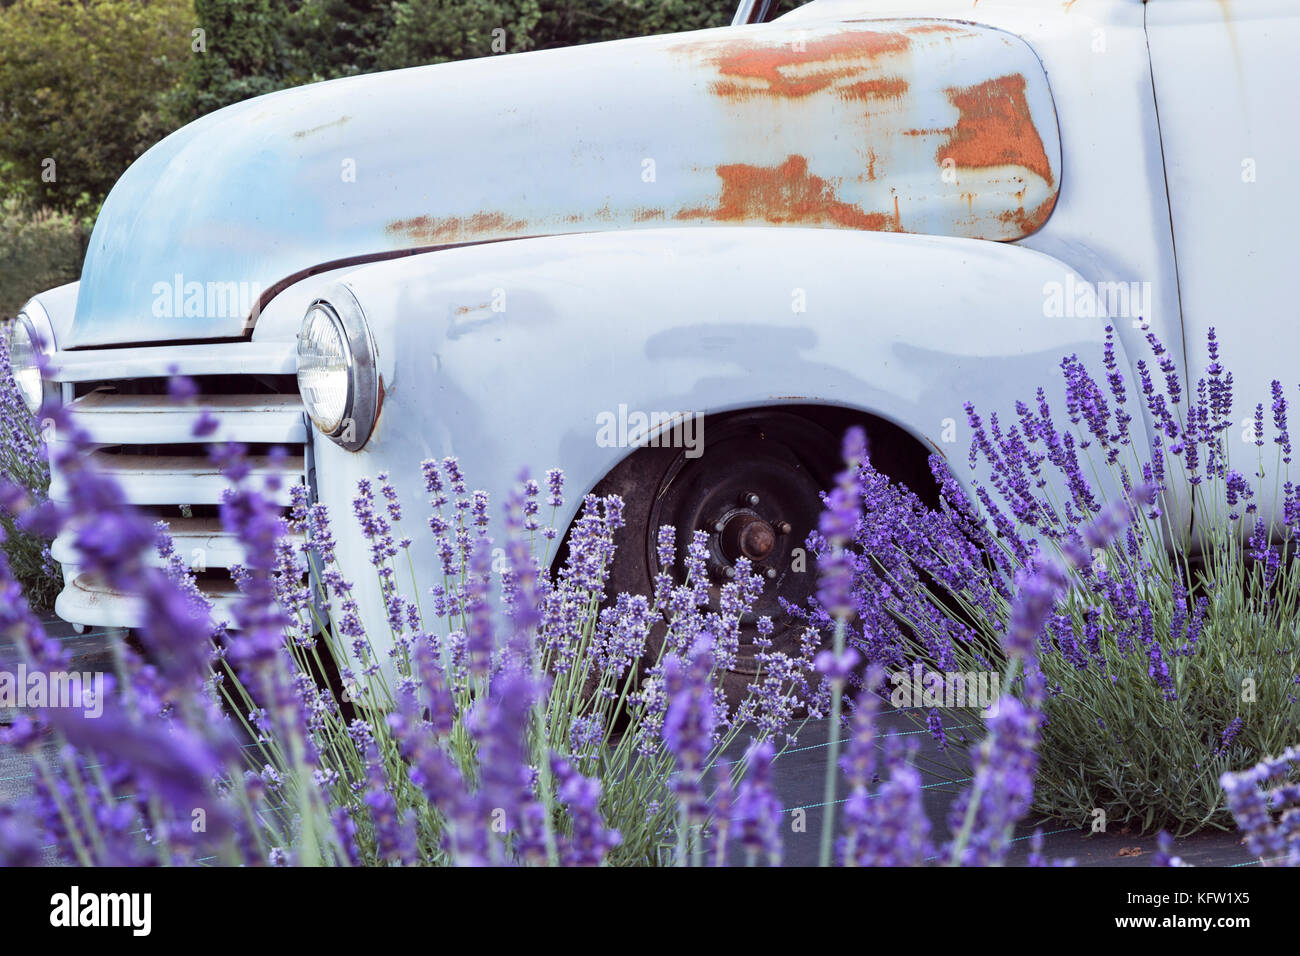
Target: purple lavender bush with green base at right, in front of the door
x=1169 y=660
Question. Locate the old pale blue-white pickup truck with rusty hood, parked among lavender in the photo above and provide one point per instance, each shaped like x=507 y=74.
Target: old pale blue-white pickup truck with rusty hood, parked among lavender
x=736 y=241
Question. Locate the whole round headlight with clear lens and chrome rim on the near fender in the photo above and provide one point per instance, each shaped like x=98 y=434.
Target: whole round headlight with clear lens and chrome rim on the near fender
x=336 y=370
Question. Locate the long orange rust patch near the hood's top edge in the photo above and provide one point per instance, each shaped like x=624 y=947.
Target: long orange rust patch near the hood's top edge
x=801 y=70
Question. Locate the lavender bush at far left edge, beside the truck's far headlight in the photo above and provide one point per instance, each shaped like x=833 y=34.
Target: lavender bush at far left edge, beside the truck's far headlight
x=23 y=462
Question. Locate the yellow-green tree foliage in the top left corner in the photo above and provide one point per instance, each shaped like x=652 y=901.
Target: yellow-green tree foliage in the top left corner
x=80 y=83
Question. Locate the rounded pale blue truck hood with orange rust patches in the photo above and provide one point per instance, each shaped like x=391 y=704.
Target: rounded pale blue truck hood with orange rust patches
x=902 y=126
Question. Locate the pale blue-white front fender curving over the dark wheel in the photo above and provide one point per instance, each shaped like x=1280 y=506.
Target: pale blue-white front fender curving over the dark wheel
x=513 y=354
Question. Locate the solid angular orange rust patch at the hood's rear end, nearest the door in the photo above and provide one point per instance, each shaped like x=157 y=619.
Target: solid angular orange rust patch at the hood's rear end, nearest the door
x=995 y=128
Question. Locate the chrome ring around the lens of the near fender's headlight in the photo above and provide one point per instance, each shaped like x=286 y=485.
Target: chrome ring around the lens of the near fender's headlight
x=362 y=405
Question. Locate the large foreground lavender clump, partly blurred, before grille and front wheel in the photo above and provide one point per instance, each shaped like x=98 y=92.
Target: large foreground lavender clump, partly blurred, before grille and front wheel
x=496 y=742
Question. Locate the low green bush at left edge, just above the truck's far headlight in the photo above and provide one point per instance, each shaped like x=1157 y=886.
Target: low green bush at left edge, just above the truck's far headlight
x=40 y=250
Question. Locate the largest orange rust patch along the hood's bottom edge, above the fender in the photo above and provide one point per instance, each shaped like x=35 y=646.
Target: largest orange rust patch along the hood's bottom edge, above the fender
x=787 y=193
